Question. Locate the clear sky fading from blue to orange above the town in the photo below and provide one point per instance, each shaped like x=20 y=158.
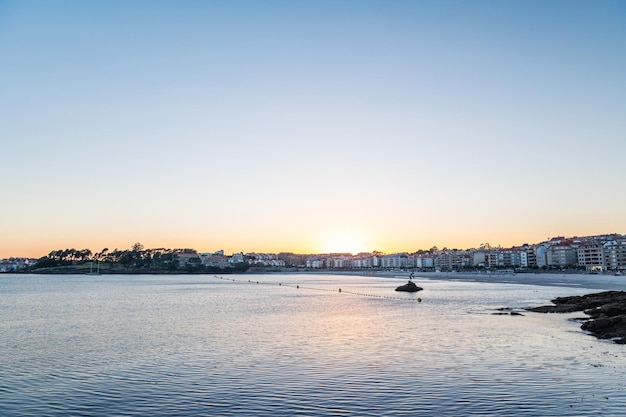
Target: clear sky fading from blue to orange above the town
x=309 y=126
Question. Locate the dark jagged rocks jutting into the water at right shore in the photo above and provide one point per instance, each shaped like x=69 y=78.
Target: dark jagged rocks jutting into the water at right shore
x=606 y=310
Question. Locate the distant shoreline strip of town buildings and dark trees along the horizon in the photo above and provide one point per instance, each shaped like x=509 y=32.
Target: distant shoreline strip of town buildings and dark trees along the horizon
x=591 y=254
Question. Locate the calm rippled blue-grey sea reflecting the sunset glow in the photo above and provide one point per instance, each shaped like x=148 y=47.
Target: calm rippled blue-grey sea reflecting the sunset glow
x=203 y=346
